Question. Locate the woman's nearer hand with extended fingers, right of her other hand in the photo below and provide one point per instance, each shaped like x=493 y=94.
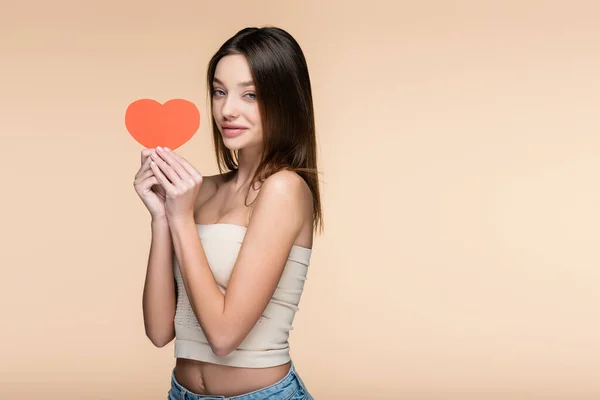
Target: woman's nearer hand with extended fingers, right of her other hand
x=180 y=180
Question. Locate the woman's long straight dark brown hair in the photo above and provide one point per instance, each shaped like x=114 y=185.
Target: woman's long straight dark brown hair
x=284 y=95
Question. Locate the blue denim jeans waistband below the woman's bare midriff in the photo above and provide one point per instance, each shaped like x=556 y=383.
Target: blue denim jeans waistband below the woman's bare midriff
x=290 y=387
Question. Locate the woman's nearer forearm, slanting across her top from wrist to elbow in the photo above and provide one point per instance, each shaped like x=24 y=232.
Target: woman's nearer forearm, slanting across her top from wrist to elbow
x=204 y=294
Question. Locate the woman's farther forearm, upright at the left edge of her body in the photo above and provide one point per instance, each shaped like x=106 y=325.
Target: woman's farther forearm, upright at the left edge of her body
x=159 y=298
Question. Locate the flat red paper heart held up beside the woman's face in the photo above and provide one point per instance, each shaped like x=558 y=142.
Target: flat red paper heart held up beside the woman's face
x=169 y=125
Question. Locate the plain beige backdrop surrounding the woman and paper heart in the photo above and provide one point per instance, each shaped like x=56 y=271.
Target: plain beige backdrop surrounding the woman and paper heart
x=459 y=145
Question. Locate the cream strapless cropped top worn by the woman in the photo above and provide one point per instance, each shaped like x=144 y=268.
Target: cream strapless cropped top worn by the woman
x=266 y=344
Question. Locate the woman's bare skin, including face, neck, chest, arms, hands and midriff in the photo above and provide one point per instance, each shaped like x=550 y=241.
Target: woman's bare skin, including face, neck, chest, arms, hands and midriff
x=179 y=197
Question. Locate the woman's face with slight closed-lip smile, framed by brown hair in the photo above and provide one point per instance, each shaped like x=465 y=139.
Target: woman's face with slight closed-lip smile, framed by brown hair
x=234 y=104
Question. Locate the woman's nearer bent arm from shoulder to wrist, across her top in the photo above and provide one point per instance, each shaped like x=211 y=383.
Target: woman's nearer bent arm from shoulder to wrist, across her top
x=280 y=210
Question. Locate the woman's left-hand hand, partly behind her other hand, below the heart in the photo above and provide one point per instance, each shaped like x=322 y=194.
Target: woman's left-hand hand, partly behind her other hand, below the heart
x=148 y=188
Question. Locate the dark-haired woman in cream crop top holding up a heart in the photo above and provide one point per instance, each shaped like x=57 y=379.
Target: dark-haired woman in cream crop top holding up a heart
x=230 y=252
